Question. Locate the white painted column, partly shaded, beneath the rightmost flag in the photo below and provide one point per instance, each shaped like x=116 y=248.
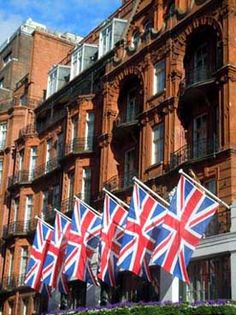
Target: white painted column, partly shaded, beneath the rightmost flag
x=169 y=287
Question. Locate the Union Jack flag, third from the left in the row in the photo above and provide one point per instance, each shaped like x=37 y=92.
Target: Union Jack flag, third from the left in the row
x=82 y=243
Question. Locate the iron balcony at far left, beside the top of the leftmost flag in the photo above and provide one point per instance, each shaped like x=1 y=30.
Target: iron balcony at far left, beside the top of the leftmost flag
x=18 y=228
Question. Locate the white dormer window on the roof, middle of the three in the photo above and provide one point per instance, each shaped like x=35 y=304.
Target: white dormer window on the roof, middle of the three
x=82 y=58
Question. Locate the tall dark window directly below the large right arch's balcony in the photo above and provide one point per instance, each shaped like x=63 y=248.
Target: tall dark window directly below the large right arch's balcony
x=200 y=136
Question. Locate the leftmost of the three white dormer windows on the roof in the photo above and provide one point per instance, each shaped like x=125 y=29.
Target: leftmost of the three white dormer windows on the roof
x=57 y=78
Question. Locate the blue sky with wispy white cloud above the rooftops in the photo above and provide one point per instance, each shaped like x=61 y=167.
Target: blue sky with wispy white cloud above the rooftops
x=75 y=16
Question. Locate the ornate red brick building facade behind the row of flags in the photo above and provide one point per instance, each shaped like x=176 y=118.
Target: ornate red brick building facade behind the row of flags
x=149 y=91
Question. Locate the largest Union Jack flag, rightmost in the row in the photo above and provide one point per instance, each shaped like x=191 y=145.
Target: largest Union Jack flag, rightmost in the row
x=189 y=213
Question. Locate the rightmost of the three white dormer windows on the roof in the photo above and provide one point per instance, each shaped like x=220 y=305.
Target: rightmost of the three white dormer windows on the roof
x=110 y=35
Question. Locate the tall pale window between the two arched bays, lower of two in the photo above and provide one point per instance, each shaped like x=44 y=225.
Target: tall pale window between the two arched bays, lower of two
x=157 y=143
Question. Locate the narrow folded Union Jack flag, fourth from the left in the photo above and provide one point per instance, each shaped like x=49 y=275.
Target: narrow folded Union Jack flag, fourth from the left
x=110 y=239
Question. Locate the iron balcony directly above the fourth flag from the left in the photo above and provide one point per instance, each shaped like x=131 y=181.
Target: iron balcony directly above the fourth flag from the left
x=117 y=183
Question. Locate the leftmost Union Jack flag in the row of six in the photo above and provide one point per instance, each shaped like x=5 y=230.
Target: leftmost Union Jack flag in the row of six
x=37 y=255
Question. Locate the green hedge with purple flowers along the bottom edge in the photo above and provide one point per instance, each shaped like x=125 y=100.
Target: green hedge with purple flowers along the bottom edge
x=206 y=308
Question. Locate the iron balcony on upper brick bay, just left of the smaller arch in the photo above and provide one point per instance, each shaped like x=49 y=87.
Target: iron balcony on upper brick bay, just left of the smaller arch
x=80 y=145
